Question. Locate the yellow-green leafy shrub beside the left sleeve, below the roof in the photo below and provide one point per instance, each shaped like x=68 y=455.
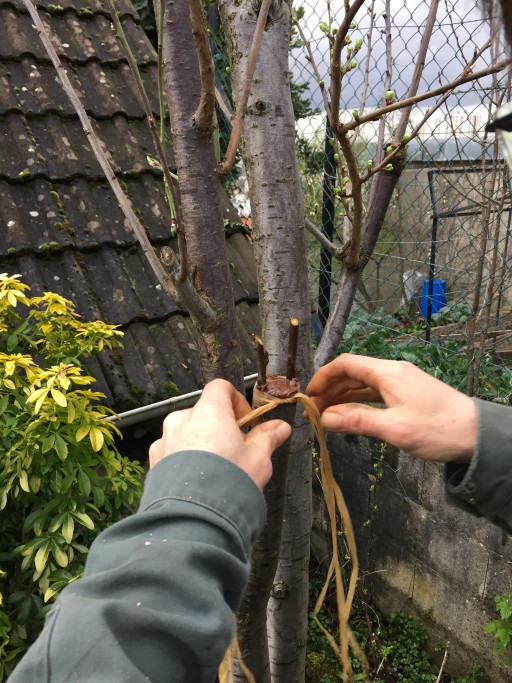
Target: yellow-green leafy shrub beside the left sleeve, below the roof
x=62 y=479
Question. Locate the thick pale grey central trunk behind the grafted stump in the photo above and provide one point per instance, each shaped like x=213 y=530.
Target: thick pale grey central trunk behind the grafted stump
x=280 y=251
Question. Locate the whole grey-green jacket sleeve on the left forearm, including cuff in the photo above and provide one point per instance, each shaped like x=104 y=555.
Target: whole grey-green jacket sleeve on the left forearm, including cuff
x=156 y=599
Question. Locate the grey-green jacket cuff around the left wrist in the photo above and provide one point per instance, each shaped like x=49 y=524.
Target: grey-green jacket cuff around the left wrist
x=212 y=482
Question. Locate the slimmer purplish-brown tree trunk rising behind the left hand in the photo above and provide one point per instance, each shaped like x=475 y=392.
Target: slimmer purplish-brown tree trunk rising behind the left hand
x=200 y=203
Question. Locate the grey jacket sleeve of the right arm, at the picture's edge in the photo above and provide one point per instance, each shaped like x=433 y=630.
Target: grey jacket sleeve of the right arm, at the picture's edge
x=484 y=486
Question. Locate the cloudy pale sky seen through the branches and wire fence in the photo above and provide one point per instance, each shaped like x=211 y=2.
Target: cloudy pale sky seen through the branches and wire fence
x=460 y=29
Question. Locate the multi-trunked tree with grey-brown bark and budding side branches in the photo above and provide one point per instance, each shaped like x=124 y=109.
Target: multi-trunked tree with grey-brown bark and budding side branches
x=258 y=35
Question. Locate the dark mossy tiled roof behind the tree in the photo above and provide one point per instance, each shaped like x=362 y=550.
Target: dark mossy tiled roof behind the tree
x=60 y=225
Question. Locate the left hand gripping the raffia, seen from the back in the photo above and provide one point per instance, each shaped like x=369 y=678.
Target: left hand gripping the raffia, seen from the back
x=211 y=426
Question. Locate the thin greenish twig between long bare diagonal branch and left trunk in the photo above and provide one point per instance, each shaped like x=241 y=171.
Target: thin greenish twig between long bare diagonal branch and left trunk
x=155 y=137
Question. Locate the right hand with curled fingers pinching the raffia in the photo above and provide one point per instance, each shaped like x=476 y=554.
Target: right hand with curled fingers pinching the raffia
x=423 y=415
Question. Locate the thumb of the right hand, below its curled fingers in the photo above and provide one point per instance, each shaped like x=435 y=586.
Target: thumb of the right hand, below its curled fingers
x=357 y=418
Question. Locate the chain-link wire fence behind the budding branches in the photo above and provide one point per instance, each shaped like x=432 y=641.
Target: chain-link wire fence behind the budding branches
x=438 y=288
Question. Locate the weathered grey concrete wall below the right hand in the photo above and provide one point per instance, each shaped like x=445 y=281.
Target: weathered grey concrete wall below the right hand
x=420 y=554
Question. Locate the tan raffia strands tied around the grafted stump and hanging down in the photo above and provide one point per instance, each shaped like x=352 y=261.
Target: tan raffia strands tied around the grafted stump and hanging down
x=340 y=522
